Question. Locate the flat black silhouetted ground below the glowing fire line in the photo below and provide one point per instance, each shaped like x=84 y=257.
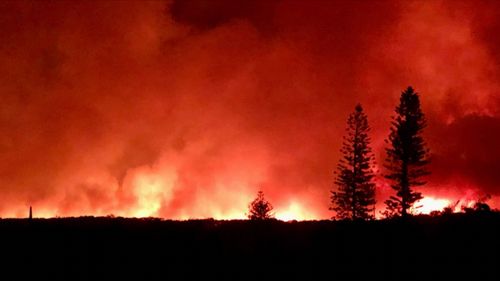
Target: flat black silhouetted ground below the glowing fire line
x=423 y=248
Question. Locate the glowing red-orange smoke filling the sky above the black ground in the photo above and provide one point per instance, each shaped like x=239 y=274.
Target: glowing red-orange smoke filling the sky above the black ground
x=185 y=109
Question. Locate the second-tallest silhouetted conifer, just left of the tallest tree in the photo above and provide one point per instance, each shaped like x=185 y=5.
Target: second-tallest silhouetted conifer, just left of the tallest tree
x=355 y=195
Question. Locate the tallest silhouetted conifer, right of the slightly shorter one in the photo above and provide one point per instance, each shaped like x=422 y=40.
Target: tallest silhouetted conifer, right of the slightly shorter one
x=407 y=155
